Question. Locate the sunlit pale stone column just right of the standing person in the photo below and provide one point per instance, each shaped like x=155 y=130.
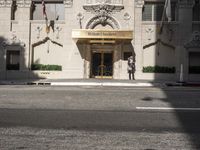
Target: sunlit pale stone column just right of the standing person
x=138 y=38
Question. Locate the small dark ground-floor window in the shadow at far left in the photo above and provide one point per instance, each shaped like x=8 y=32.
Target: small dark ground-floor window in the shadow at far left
x=12 y=60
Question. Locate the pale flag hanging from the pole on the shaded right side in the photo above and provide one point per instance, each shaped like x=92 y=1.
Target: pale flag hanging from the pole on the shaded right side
x=166 y=14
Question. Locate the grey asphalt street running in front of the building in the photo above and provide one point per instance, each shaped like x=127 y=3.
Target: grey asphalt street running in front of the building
x=88 y=117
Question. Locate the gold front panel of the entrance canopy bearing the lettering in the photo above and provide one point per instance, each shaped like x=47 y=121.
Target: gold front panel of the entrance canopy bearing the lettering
x=102 y=34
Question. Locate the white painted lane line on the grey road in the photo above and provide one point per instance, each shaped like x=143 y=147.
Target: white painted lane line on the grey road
x=167 y=108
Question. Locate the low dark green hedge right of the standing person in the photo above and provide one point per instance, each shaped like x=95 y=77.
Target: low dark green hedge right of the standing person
x=158 y=69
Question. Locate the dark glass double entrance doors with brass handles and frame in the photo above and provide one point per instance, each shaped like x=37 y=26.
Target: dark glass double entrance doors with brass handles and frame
x=102 y=65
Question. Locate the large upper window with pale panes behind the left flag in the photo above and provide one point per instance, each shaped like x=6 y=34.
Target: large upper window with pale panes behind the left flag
x=54 y=10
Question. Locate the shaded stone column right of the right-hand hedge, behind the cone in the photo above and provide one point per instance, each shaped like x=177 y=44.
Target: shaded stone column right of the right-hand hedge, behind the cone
x=184 y=33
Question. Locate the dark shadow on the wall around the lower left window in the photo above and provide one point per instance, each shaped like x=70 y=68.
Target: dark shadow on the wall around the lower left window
x=13 y=64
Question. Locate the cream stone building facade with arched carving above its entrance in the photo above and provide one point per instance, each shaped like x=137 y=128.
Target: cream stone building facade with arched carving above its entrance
x=94 y=38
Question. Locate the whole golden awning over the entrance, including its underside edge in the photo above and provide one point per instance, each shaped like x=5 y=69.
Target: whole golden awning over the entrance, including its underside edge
x=101 y=36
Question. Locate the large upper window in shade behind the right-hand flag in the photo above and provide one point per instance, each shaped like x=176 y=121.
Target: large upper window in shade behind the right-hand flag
x=154 y=11
